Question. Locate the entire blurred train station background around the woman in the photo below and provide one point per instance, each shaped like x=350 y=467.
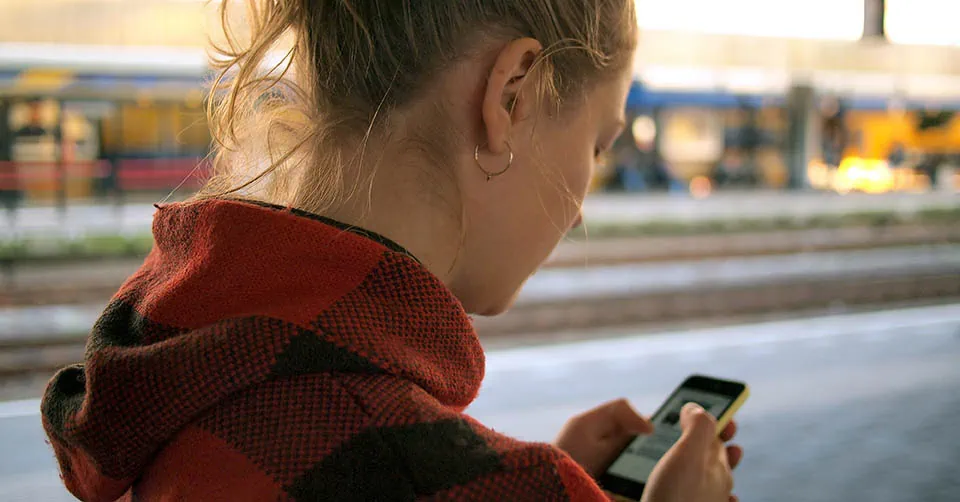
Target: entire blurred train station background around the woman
x=783 y=210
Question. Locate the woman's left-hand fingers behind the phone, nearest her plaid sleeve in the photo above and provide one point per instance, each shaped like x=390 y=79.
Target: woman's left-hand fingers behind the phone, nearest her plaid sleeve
x=595 y=438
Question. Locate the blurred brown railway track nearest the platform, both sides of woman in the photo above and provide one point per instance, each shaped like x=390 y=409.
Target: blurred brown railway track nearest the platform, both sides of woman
x=36 y=356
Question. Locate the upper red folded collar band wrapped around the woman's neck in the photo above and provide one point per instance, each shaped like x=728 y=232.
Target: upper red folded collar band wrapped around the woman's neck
x=355 y=288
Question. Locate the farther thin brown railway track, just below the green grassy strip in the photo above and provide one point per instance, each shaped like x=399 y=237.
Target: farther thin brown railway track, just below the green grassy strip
x=73 y=283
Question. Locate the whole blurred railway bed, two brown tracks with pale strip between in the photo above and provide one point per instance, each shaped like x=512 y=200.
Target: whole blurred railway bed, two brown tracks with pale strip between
x=642 y=281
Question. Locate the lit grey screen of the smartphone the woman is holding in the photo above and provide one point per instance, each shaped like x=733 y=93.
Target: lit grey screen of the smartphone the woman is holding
x=637 y=461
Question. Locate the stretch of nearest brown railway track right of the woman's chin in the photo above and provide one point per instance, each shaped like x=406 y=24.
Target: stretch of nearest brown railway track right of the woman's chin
x=727 y=301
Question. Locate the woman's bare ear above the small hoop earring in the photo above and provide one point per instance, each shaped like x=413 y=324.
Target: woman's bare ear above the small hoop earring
x=503 y=102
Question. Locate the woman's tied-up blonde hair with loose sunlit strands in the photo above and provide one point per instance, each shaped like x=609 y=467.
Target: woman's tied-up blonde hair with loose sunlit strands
x=288 y=132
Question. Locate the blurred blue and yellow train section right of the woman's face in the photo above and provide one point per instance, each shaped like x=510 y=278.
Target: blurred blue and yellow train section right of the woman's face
x=697 y=139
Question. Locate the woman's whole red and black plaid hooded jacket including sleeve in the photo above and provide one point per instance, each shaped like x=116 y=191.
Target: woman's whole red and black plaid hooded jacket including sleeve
x=267 y=354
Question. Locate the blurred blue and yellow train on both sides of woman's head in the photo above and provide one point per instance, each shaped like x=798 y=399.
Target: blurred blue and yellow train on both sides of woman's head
x=93 y=122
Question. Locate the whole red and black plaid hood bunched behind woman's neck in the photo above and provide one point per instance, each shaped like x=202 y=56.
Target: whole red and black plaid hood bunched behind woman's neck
x=233 y=295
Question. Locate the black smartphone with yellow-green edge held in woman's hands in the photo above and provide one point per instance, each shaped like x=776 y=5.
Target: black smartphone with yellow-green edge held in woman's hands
x=628 y=474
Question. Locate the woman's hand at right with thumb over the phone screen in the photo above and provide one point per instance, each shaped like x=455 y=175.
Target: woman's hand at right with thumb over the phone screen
x=698 y=467
